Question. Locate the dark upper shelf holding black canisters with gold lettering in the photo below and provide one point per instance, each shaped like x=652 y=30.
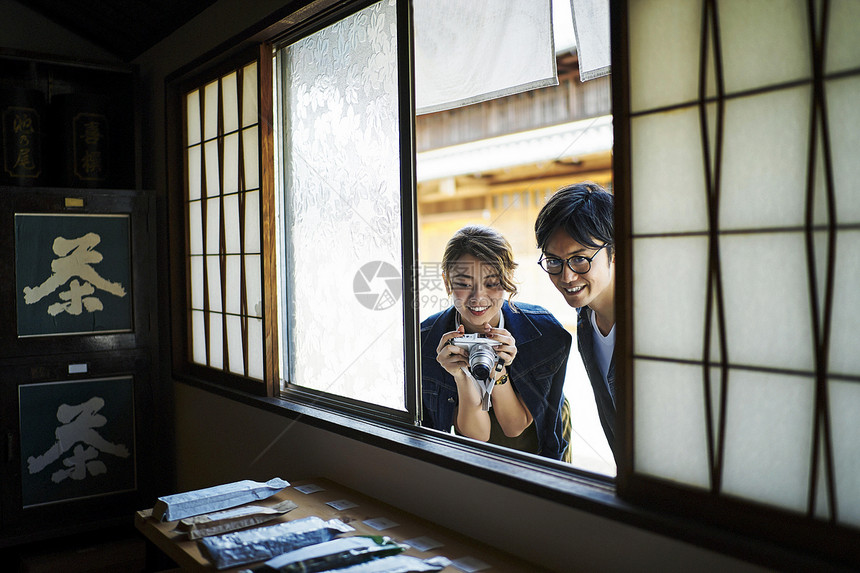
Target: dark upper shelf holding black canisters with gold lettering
x=67 y=123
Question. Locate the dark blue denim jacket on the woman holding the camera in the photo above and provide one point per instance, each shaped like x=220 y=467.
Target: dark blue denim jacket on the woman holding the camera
x=537 y=373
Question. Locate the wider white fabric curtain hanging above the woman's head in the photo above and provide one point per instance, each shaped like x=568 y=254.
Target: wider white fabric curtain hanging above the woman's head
x=469 y=51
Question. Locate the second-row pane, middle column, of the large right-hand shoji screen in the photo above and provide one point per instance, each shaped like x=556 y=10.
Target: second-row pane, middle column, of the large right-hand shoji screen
x=765 y=159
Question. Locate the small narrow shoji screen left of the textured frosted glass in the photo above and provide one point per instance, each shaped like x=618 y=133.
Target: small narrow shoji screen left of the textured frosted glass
x=224 y=239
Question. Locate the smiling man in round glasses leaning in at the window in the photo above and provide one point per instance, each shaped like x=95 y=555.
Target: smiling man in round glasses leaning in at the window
x=574 y=232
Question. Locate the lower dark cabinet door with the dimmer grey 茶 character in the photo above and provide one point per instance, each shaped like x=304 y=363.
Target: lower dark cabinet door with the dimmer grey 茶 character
x=76 y=449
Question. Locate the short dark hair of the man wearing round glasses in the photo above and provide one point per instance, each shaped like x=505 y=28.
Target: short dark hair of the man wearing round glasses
x=583 y=210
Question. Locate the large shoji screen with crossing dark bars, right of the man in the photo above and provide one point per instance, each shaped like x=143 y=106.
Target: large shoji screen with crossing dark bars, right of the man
x=744 y=132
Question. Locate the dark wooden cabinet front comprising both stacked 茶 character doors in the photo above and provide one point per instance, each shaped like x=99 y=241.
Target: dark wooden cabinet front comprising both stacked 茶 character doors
x=81 y=406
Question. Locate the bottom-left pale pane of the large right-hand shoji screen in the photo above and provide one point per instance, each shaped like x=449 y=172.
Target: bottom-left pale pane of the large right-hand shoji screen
x=669 y=426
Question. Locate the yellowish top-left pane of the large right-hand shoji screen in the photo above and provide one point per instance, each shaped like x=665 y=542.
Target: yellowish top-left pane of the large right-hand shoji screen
x=664 y=52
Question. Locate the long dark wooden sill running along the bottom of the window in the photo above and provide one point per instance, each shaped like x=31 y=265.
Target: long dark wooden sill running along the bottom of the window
x=553 y=481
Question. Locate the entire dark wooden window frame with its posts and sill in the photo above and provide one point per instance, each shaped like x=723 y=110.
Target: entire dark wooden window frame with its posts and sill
x=768 y=537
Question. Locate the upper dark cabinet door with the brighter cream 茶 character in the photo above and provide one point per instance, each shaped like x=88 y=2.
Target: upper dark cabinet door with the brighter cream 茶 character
x=58 y=239
